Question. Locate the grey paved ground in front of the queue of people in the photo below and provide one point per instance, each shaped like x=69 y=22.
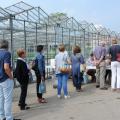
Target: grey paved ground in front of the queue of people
x=92 y=104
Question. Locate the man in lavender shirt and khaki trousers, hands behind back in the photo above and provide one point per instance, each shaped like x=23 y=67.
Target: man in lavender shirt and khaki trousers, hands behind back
x=99 y=58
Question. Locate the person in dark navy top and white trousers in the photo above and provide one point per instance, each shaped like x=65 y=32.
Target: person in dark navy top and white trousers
x=115 y=65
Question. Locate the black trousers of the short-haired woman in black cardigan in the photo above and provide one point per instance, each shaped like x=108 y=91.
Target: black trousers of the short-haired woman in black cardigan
x=23 y=94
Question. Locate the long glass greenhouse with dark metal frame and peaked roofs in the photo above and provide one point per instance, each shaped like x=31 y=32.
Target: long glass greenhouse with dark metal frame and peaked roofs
x=25 y=26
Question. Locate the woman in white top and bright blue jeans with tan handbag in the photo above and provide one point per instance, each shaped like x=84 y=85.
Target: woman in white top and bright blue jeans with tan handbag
x=62 y=59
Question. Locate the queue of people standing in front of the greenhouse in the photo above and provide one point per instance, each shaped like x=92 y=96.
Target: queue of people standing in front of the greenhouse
x=100 y=58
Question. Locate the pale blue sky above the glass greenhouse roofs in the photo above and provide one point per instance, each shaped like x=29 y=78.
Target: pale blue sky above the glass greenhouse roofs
x=99 y=12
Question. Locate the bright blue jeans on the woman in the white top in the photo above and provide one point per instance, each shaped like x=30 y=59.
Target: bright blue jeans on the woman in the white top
x=62 y=82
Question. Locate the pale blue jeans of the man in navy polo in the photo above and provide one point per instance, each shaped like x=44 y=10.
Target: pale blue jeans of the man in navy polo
x=6 y=95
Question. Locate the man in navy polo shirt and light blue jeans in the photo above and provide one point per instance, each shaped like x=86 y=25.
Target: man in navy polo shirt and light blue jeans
x=6 y=82
